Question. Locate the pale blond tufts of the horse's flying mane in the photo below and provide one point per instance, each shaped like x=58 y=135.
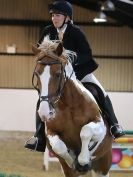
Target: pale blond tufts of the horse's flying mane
x=49 y=46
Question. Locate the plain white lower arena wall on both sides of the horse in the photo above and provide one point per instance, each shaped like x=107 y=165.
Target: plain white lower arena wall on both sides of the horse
x=18 y=109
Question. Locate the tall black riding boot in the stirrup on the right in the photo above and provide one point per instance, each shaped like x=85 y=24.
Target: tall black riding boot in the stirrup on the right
x=115 y=129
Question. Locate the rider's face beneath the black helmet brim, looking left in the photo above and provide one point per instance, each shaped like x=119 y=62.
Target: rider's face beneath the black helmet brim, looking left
x=58 y=20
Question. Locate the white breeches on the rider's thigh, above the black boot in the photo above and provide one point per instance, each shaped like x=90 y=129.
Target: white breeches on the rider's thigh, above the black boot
x=91 y=78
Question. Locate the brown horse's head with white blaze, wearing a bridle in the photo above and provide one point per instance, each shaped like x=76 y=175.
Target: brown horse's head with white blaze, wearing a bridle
x=52 y=70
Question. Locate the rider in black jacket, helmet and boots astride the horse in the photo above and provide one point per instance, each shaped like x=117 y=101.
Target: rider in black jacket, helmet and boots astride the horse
x=74 y=40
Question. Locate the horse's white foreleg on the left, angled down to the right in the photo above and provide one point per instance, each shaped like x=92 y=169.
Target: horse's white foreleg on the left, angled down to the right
x=59 y=147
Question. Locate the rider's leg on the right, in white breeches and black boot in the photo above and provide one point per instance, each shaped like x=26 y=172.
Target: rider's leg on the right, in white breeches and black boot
x=115 y=129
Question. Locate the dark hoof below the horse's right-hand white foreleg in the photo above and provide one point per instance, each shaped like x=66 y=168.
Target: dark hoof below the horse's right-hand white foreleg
x=81 y=168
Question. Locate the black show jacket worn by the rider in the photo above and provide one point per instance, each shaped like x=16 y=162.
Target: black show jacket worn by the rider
x=74 y=40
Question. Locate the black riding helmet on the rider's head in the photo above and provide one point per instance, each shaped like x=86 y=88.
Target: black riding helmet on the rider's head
x=61 y=7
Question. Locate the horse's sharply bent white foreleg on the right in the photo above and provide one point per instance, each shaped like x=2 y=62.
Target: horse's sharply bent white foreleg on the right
x=90 y=132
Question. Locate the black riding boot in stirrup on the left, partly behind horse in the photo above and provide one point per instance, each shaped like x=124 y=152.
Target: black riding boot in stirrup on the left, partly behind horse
x=38 y=141
